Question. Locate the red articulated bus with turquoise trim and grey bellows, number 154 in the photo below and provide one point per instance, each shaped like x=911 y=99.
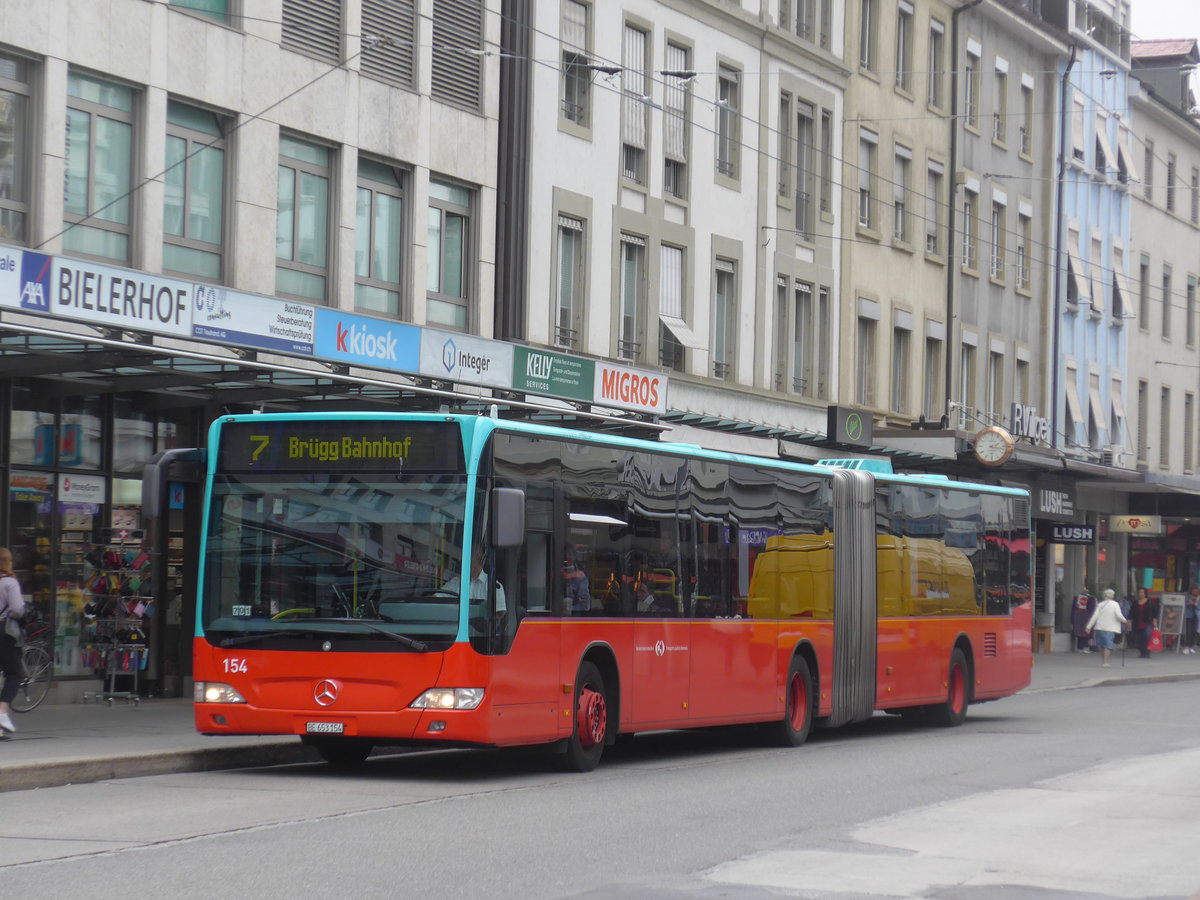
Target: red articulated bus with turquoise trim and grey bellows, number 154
x=458 y=580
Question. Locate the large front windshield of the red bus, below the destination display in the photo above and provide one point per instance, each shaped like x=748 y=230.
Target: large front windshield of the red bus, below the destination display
x=359 y=557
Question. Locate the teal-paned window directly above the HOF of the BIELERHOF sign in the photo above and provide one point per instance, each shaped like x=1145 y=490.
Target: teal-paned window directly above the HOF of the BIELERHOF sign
x=194 y=194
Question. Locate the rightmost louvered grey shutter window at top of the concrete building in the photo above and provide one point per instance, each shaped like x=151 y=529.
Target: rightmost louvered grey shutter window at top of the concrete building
x=457 y=73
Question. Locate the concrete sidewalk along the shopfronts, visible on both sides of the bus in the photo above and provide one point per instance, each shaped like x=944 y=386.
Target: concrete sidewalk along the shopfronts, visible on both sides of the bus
x=77 y=743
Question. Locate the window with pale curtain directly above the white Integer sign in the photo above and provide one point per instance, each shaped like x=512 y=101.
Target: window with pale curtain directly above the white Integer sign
x=448 y=256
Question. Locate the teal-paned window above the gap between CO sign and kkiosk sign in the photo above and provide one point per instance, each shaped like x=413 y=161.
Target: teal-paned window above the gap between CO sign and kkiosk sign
x=302 y=230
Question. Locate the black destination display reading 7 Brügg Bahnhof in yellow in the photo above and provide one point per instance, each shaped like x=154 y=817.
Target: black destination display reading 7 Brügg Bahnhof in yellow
x=340 y=446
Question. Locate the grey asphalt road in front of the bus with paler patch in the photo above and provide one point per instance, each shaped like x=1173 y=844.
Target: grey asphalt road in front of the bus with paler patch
x=1060 y=795
